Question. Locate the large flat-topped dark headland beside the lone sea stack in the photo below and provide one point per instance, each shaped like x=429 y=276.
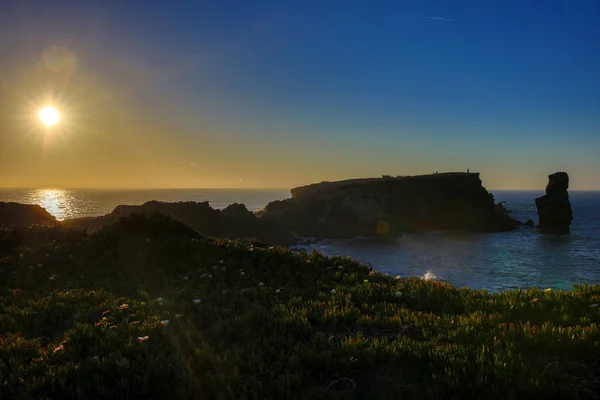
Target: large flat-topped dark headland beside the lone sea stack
x=389 y=206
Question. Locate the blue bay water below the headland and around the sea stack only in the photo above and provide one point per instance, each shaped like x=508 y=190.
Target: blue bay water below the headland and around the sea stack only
x=493 y=261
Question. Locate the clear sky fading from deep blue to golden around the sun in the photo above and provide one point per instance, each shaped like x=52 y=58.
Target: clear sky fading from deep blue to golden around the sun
x=220 y=93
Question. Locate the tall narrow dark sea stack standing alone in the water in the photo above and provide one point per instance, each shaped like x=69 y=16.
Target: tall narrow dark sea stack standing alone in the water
x=554 y=209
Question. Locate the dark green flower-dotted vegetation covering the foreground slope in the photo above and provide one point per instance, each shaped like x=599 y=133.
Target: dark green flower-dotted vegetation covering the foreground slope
x=148 y=309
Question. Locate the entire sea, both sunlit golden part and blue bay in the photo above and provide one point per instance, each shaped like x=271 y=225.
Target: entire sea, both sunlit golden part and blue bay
x=492 y=261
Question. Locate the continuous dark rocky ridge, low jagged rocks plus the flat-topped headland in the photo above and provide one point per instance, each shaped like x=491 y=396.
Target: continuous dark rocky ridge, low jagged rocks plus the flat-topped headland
x=367 y=207
